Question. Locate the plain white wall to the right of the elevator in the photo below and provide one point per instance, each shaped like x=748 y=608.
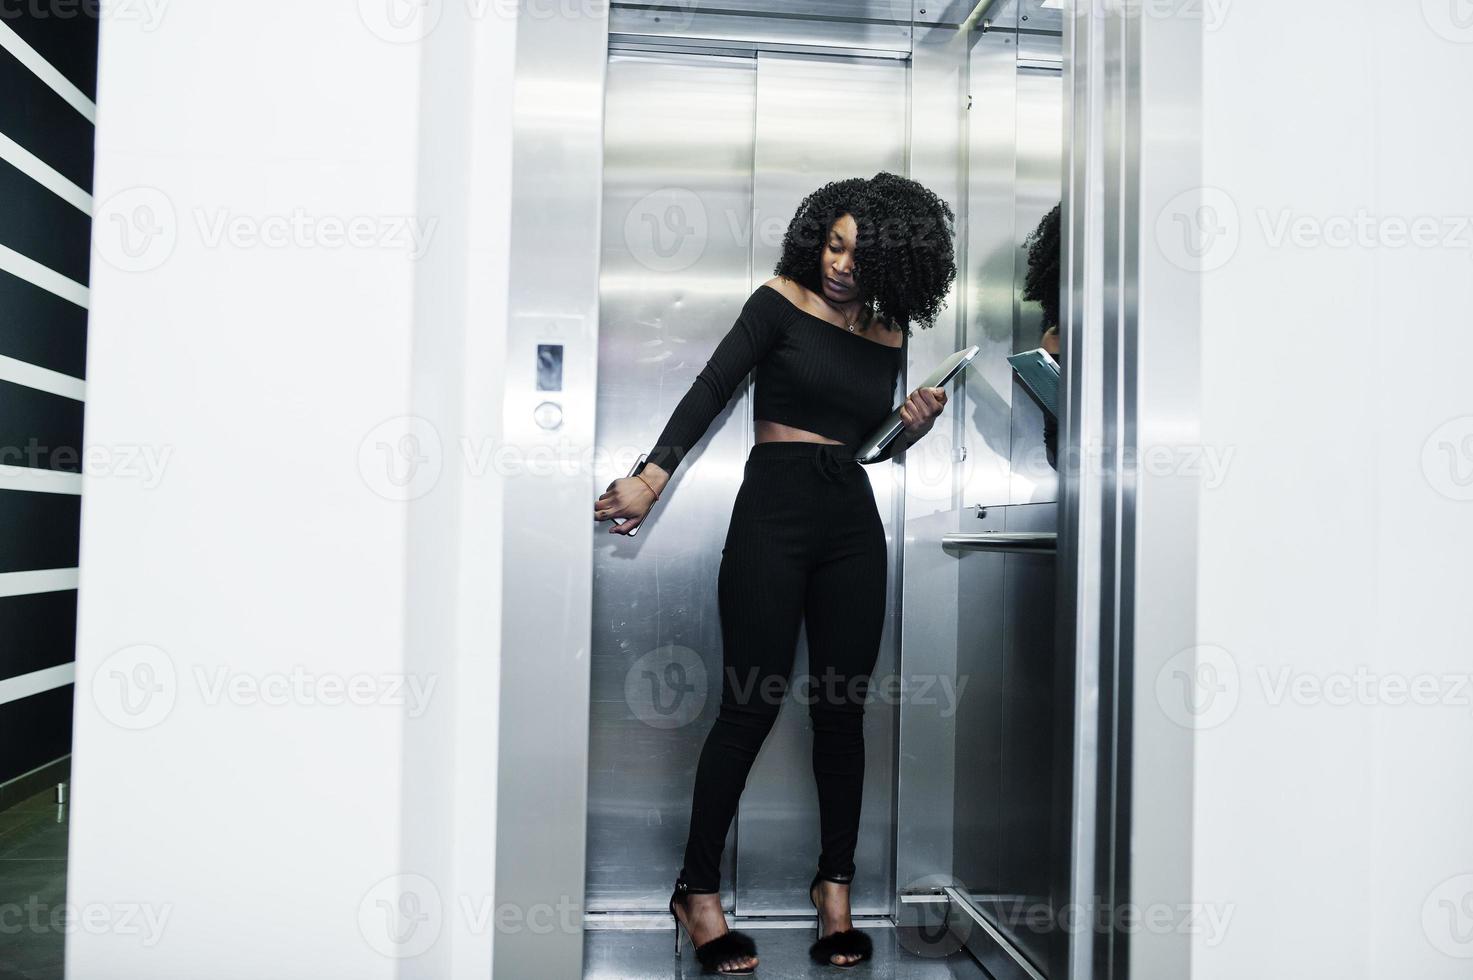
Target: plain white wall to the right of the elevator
x=1334 y=835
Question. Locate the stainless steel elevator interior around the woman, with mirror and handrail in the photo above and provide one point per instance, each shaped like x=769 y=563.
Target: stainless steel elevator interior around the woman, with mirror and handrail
x=720 y=119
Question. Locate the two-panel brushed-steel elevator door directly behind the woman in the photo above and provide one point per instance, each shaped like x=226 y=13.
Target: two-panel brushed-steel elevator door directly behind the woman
x=706 y=158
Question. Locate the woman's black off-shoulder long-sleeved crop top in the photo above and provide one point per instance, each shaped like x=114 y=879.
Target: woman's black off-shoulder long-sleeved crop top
x=811 y=375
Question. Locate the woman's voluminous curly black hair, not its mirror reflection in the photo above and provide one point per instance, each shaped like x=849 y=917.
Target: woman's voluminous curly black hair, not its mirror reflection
x=904 y=257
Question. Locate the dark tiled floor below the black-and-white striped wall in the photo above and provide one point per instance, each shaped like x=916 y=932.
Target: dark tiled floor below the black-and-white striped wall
x=33 y=888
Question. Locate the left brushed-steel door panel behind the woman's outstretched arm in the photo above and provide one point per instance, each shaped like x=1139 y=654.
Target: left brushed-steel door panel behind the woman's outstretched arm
x=678 y=154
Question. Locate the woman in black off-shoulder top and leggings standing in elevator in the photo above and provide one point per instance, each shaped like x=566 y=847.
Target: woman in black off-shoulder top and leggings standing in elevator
x=861 y=262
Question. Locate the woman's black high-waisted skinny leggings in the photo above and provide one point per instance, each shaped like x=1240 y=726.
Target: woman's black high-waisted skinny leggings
x=805 y=545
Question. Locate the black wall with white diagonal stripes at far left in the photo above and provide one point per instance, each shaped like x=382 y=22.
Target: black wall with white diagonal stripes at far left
x=45 y=46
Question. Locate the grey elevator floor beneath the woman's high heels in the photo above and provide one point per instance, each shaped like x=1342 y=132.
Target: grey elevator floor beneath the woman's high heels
x=784 y=954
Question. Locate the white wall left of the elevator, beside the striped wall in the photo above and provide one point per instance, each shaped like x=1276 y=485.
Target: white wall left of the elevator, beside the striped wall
x=269 y=827
